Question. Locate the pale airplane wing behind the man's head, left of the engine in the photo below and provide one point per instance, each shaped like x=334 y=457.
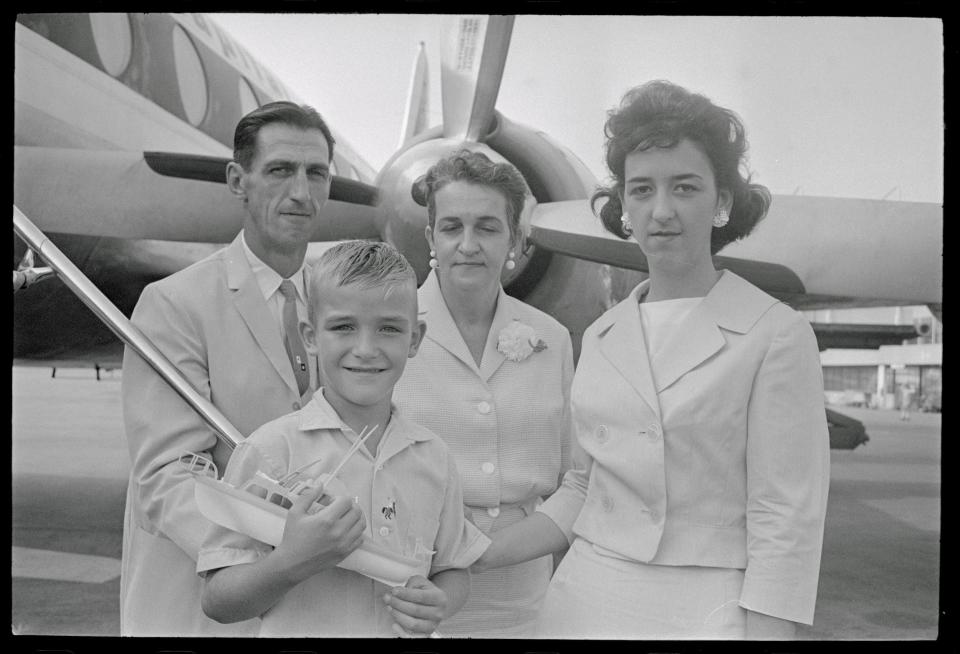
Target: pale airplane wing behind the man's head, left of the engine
x=159 y=196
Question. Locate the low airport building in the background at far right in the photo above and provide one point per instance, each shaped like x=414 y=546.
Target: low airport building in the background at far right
x=888 y=376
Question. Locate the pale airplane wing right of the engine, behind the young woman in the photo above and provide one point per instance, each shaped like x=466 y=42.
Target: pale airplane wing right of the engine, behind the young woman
x=811 y=252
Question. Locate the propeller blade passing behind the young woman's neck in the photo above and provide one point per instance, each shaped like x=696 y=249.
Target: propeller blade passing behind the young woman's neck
x=570 y=228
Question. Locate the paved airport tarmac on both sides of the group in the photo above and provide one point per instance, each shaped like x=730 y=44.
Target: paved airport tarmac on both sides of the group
x=880 y=569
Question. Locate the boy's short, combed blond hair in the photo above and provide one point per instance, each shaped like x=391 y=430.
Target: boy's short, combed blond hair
x=368 y=264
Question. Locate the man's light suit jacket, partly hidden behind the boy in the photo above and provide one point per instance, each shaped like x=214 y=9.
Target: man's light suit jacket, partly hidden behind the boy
x=212 y=322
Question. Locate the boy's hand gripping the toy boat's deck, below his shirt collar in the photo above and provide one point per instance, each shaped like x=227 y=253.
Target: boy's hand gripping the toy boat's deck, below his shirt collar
x=314 y=540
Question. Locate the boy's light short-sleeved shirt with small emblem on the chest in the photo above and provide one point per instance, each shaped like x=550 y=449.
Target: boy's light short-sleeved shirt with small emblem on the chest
x=409 y=493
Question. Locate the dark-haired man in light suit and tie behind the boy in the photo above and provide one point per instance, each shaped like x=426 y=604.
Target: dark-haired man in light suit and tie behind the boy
x=223 y=322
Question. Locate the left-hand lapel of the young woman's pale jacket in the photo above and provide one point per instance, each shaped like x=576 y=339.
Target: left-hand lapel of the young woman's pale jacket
x=619 y=345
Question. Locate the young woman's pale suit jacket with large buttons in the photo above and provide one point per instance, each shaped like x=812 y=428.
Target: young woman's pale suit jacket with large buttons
x=725 y=463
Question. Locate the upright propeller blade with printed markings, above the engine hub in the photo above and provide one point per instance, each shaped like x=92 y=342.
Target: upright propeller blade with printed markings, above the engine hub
x=472 y=60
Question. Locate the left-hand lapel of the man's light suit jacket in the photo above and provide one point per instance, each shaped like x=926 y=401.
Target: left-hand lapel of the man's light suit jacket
x=253 y=309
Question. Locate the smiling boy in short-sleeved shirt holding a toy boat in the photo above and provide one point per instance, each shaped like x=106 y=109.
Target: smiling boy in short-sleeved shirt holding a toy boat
x=363 y=326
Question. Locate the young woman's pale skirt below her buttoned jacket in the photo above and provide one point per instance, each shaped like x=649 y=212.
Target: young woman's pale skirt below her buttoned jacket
x=593 y=595
